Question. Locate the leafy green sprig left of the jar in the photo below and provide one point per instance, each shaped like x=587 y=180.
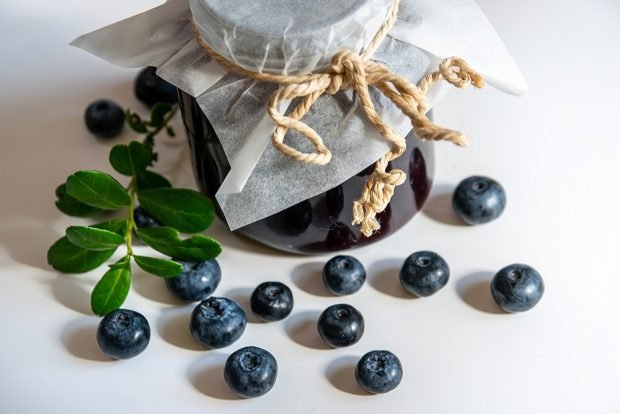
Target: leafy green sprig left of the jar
x=89 y=193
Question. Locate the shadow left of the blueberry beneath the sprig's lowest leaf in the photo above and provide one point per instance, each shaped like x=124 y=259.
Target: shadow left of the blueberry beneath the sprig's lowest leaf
x=79 y=338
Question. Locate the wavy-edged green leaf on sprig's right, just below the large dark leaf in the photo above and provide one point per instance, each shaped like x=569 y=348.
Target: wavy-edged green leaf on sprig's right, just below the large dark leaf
x=166 y=240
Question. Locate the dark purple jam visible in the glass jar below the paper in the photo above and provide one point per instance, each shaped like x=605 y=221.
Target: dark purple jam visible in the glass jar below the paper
x=322 y=223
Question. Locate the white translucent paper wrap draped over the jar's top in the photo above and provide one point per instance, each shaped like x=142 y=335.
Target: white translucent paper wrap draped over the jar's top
x=262 y=181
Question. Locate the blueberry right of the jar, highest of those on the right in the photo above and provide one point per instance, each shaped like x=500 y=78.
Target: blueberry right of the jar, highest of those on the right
x=478 y=200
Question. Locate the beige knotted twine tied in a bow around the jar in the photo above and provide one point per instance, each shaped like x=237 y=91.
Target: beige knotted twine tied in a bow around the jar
x=352 y=70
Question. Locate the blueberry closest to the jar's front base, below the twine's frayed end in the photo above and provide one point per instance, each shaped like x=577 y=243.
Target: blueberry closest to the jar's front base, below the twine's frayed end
x=343 y=275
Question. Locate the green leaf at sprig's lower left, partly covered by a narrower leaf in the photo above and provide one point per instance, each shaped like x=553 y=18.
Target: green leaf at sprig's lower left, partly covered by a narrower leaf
x=66 y=257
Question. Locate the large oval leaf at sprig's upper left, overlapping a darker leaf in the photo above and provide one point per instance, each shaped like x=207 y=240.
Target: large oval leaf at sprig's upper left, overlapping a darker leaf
x=97 y=189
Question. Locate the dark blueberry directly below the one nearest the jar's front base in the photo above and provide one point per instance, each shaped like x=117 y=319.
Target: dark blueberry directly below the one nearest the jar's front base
x=341 y=325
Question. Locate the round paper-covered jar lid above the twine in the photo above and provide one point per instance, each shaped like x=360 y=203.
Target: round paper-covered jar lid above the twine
x=287 y=37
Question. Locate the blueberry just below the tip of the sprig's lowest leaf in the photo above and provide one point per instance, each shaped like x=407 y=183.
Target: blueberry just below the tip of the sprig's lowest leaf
x=123 y=334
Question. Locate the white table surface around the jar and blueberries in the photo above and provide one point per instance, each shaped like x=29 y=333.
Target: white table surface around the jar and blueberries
x=555 y=150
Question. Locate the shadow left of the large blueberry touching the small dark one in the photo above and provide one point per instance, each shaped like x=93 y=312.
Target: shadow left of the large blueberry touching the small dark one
x=173 y=327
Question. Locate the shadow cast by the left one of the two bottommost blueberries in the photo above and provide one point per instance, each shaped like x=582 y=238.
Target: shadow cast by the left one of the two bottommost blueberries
x=207 y=376
